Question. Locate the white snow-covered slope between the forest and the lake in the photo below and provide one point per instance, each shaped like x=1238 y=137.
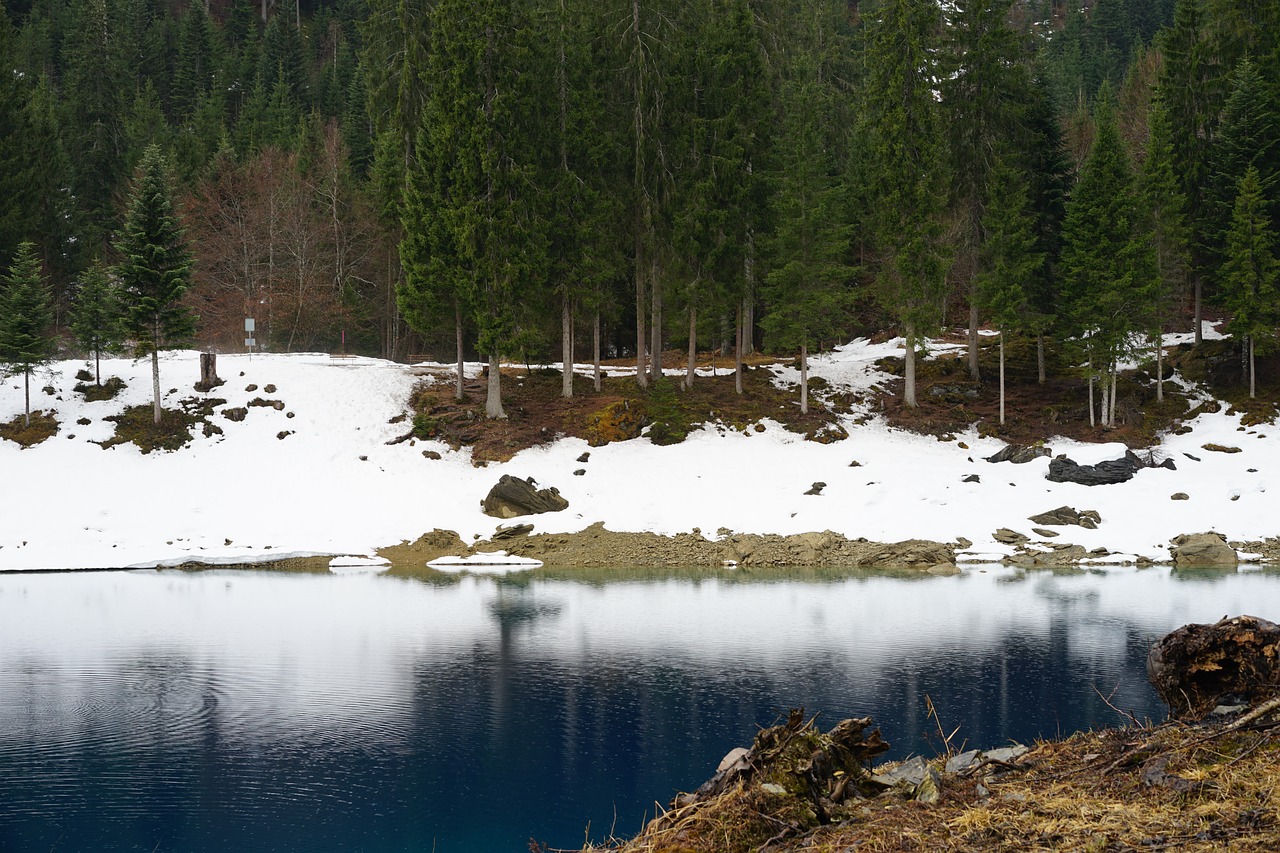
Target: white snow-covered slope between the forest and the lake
x=335 y=486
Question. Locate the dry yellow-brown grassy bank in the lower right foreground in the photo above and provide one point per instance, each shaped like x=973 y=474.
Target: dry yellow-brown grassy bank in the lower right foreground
x=1165 y=788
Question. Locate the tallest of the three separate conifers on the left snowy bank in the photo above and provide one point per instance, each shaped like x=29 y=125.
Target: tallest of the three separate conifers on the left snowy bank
x=156 y=268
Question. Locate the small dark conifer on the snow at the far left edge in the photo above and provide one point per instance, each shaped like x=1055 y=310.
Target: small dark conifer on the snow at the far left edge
x=26 y=318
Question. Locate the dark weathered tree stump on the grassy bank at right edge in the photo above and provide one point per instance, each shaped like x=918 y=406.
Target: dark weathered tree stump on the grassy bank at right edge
x=1199 y=668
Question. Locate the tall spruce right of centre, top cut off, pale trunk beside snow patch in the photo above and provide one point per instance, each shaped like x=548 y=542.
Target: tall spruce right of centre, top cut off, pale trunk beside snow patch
x=907 y=179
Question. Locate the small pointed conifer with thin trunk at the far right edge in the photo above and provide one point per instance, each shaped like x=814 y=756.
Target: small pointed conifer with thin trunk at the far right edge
x=1251 y=275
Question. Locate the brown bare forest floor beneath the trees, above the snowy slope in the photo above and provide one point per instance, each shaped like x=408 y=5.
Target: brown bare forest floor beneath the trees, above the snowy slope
x=949 y=402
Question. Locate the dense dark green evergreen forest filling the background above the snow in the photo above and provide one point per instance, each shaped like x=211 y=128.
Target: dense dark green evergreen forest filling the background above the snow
x=570 y=180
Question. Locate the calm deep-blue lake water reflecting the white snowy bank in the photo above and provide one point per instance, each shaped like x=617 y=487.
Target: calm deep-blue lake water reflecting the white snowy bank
x=271 y=711
